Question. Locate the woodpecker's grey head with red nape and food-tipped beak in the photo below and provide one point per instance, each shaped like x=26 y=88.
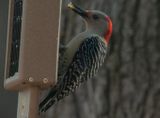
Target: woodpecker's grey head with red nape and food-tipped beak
x=96 y=21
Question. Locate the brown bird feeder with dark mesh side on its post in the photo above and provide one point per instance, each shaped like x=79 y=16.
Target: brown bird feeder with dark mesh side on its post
x=31 y=51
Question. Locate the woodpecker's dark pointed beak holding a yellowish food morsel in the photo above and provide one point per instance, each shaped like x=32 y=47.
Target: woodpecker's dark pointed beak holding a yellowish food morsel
x=78 y=10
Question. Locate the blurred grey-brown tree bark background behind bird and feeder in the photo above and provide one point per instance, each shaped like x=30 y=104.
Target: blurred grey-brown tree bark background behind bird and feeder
x=128 y=84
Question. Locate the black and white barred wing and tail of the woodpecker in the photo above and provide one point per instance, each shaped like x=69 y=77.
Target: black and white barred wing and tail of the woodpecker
x=86 y=62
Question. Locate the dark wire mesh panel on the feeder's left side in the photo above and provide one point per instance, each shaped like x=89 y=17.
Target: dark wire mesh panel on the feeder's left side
x=16 y=34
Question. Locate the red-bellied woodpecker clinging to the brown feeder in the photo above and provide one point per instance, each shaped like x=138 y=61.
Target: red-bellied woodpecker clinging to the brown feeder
x=83 y=55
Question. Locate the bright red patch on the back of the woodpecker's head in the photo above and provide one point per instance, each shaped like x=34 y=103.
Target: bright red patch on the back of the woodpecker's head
x=109 y=31
